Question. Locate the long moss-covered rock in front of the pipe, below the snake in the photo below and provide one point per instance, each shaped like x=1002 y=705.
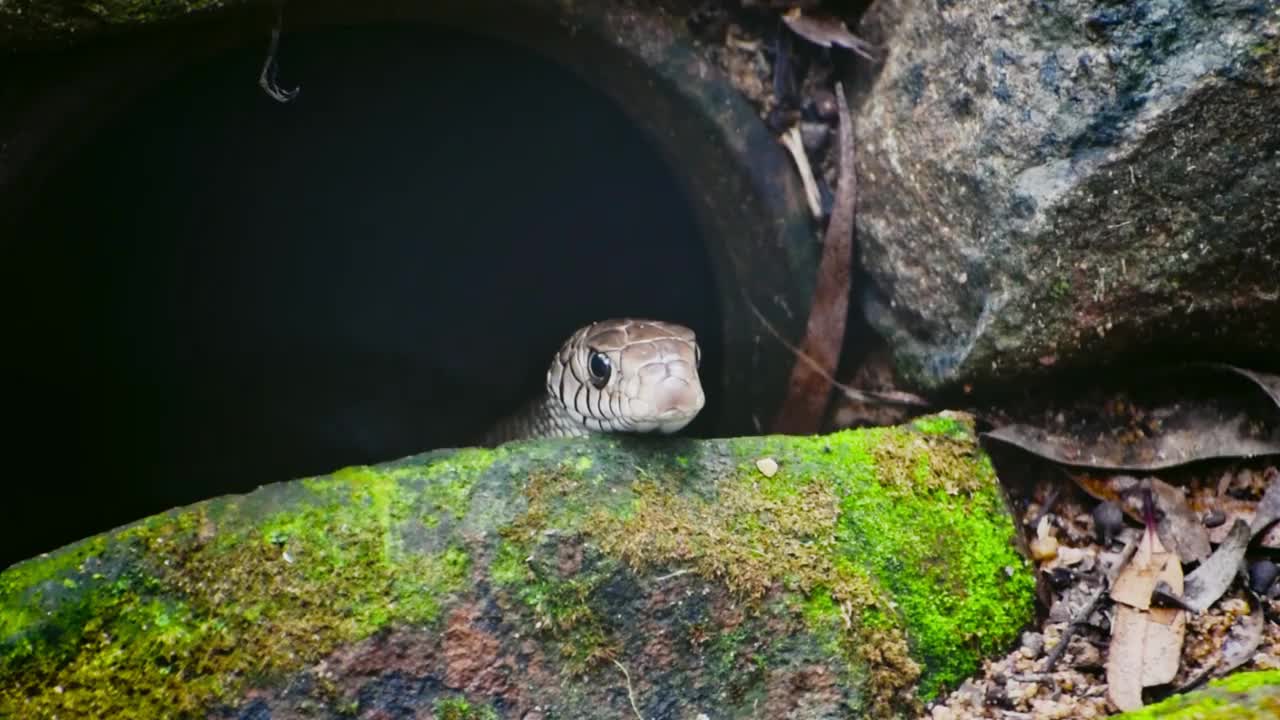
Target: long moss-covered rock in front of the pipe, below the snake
x=548 y=580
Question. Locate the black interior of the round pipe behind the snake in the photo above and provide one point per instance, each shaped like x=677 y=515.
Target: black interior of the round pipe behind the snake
x=221 y=291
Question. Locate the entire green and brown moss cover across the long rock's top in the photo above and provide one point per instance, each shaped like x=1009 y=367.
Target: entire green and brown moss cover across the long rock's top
x=852 y=539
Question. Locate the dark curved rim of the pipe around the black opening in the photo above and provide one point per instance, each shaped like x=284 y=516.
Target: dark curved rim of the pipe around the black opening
x=737 y=177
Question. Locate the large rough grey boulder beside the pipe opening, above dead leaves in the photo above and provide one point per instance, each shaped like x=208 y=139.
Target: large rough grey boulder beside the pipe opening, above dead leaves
x=1060 y=184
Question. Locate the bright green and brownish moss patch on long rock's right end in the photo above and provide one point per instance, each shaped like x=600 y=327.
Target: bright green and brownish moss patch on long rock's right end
x=842 y=523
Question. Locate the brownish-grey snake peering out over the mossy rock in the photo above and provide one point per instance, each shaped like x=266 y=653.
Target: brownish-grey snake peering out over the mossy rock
x=616 y=376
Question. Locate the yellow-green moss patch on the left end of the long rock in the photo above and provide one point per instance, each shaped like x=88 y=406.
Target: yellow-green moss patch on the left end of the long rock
x=200 y=612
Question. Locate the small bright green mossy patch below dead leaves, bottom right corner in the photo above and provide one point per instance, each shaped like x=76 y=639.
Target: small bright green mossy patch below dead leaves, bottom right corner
x=1244 y=696
